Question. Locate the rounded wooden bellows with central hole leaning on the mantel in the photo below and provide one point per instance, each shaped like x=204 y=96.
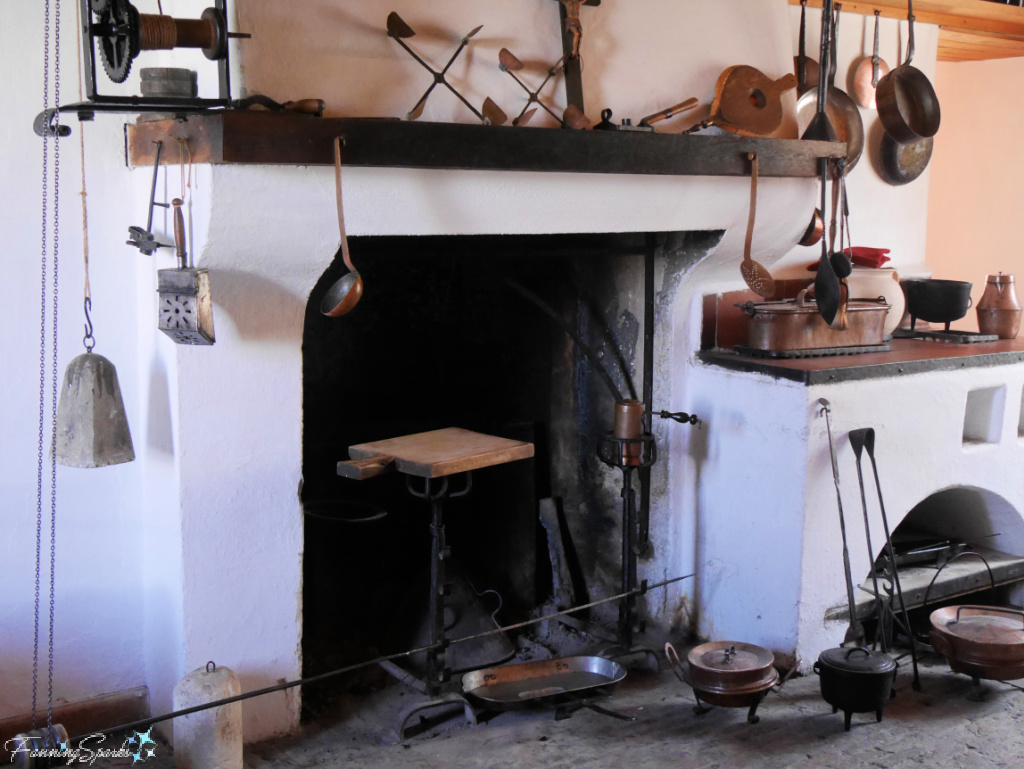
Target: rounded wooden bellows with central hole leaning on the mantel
x=747 y=102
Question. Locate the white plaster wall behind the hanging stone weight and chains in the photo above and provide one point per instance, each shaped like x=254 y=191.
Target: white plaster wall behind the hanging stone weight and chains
x=101 y=516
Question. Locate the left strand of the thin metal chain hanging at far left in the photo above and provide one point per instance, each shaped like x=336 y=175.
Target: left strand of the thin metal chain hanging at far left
x=42 y=366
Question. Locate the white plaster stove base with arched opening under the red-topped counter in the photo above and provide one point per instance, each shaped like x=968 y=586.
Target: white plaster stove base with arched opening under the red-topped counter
x=770 y=549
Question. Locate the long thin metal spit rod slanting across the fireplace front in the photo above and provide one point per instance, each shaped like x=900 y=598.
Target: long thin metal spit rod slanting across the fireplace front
x=136 y=725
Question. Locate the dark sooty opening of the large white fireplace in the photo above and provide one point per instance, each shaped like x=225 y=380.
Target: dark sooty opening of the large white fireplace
x=472 y=332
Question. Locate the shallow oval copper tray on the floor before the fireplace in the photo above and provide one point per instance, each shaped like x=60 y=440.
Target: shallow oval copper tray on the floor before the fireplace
x=514 y=686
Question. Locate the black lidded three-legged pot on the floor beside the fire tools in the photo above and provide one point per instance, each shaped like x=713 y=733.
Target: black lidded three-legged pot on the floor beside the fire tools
x=857 y=680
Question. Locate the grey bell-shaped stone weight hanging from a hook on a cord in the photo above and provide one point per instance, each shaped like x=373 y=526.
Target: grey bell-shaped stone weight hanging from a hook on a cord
x=93 y=428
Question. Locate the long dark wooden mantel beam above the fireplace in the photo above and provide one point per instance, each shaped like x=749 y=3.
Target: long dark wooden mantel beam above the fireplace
x=264 y=138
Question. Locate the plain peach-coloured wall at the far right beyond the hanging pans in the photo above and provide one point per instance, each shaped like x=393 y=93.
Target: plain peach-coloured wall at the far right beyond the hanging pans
x=975 y=198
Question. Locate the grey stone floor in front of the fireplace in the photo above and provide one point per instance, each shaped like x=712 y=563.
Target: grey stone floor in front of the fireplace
x=938 y=728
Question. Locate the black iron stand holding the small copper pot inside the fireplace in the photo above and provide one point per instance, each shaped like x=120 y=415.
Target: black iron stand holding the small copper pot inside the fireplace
x=630 y=456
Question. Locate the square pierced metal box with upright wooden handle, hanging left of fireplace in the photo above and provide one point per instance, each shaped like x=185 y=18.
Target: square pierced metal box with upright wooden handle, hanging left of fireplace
x=186 y=306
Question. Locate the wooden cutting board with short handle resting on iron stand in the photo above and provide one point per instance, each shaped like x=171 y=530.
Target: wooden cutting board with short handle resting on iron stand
x=433 y=455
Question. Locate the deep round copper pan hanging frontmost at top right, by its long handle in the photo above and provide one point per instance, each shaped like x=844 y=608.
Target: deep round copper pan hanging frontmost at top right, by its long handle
x=908 y=106
